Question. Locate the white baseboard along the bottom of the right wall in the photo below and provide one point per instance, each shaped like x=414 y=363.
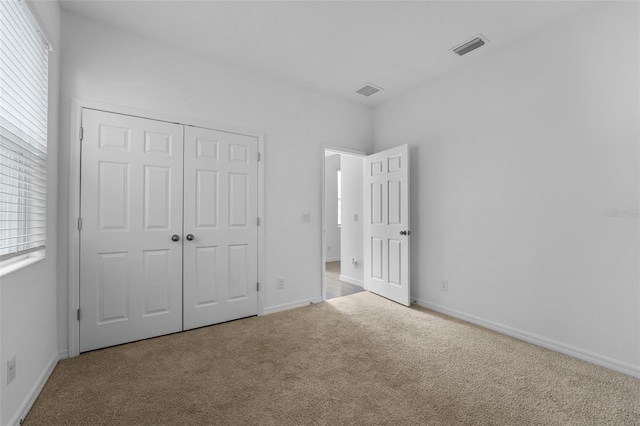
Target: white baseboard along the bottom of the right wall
x=604 y=361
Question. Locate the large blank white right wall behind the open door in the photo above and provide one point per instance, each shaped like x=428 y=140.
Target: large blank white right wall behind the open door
x=515 y=160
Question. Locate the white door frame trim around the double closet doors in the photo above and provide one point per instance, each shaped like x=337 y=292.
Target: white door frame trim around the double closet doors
x=75 y=159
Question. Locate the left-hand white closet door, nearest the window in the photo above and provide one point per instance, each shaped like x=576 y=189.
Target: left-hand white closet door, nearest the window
x=131 y=270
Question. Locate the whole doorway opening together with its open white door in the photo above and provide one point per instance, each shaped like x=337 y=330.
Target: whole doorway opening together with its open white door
x=369 y=200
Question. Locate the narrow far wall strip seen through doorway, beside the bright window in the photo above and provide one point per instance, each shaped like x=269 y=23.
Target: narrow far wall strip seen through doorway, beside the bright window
x=332 y=230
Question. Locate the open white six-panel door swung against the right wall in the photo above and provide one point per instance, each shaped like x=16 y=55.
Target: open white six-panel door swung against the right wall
x=386 y=213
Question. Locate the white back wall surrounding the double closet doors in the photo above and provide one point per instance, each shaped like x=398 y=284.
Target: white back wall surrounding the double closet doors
x=104 y=64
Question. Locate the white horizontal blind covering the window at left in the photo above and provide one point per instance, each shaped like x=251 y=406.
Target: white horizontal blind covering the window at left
x=24 y=56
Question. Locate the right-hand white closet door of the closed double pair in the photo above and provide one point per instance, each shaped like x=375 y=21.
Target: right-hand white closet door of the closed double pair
x=220 y=214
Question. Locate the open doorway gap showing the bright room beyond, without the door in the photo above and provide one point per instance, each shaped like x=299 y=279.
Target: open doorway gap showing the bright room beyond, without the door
x=343 y=273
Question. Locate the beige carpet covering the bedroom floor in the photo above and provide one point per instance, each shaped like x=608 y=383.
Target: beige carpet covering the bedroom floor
x=357 y=360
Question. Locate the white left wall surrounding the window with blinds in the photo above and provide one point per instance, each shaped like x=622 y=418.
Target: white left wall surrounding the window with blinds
x=28 y=296
